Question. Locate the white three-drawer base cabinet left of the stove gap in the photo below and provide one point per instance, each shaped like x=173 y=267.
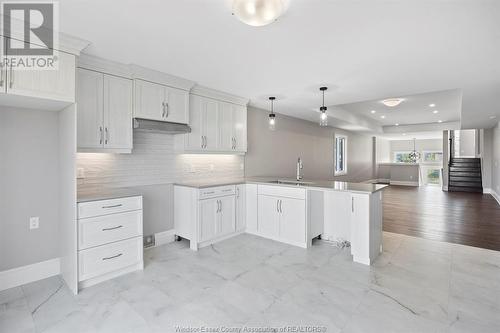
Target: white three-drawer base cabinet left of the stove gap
x=109 y=239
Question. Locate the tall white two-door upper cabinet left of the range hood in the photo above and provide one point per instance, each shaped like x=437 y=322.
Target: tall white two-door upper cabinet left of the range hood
x=104 y=112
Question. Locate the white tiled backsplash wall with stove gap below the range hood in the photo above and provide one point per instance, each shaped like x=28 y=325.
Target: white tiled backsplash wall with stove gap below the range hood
x=152 y=168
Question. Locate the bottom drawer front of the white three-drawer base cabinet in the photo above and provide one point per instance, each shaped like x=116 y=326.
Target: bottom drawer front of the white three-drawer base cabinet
x=108 y=258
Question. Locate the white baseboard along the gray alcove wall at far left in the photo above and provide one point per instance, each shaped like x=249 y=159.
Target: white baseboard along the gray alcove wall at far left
x=21 y=275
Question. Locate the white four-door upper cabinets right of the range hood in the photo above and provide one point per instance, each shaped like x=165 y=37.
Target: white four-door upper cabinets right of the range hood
x=218 y=123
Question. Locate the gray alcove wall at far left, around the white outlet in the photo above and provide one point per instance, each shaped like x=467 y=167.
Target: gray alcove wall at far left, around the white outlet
x=28 y=186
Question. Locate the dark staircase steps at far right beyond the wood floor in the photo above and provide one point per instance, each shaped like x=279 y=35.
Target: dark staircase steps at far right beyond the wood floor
x=465 y=175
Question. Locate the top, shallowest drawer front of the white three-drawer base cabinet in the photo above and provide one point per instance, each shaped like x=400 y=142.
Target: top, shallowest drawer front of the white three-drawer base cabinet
x=111 y=206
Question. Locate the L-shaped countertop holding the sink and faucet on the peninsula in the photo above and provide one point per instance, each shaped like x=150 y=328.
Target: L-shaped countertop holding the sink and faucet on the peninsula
x=329 y=185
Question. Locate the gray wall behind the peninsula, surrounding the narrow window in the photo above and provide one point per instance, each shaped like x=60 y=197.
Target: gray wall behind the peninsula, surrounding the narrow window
x=275 y=153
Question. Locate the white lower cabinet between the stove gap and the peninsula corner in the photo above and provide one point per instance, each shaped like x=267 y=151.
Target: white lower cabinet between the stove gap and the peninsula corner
x=205 y=216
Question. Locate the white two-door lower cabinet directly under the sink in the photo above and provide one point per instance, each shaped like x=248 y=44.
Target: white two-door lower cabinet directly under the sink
x=282 y=214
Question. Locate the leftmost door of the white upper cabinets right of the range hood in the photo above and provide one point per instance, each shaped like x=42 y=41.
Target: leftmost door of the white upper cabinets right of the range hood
x=195 y=140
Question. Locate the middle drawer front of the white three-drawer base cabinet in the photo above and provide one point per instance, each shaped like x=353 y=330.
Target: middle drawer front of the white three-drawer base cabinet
x=105 y=229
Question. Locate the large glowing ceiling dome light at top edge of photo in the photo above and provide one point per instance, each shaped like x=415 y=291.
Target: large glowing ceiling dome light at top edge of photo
x=258 y=13
